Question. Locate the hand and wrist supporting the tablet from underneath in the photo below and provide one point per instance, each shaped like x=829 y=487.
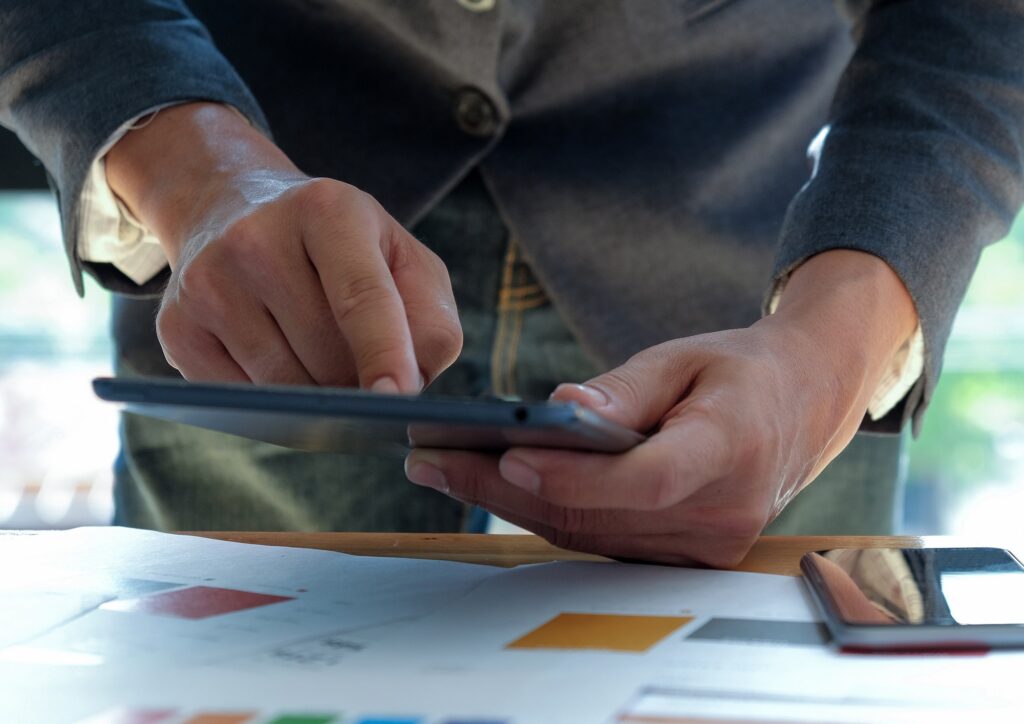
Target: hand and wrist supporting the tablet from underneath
x=743 y=420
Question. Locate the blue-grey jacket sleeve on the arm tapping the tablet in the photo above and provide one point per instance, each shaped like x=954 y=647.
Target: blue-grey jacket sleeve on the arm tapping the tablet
x=72 y=73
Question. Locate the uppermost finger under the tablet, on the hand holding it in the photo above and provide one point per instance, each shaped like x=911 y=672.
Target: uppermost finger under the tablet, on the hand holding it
x=666 y=470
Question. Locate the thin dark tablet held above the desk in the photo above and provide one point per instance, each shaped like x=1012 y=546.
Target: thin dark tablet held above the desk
x=335 y=420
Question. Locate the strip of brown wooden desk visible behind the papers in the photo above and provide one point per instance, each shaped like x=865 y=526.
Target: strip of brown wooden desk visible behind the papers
x=771 y=556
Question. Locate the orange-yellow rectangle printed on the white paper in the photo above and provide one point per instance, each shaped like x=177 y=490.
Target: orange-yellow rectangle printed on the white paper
x=612 y=632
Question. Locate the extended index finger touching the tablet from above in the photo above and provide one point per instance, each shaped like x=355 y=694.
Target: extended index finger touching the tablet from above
x=366 y=305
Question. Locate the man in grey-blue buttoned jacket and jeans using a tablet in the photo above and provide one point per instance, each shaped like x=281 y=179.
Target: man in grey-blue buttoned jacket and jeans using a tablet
x=349 y=192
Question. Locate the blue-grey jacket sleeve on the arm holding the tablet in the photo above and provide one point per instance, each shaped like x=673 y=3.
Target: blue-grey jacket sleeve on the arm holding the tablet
x=924 y=158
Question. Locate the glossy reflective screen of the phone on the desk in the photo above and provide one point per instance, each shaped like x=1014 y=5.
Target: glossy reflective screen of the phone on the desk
x=930 y=587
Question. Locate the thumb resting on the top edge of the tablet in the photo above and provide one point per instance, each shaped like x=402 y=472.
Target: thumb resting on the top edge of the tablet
x=638 y=394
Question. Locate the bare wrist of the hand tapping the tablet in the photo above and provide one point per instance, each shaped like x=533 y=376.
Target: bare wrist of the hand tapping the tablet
x=190 y=159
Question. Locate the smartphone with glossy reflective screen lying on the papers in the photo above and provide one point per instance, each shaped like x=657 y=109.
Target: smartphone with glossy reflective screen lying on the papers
x=901 y=600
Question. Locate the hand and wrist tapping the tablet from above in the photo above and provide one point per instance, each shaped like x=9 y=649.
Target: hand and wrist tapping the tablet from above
x=278 y=278
